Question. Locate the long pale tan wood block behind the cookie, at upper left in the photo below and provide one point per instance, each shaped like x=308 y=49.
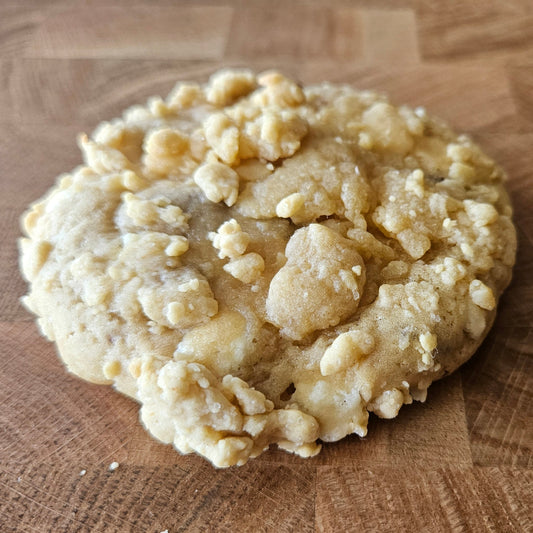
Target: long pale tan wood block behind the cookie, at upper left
x=180 y=32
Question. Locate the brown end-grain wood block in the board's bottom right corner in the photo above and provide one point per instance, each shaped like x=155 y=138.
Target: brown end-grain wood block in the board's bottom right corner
x=468 y=499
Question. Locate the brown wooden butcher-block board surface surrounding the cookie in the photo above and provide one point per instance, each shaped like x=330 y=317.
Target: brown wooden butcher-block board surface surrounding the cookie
x=461 y=462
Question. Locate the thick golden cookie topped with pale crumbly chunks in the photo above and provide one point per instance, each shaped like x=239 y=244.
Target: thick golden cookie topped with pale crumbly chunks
x=256 y=262
